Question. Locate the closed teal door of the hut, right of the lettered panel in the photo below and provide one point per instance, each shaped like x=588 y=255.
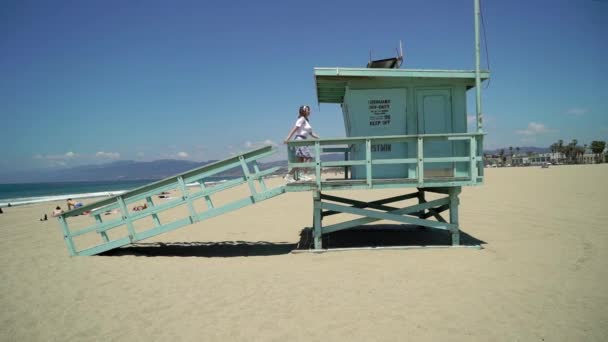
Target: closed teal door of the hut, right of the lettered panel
x=434 y=117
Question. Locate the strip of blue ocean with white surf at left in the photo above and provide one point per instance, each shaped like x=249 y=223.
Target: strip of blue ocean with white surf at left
x=27 y=193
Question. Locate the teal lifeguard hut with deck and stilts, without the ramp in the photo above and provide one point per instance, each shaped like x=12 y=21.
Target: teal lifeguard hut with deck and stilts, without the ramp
x=405 y=129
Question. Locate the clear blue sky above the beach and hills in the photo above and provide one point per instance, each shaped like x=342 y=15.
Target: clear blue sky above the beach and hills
x=84 y=82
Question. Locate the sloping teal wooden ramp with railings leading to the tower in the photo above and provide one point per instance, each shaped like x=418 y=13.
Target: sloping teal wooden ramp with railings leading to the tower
x=113 y=222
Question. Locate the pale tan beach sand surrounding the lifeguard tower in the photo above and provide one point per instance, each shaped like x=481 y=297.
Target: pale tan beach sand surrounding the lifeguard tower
x=542 y=274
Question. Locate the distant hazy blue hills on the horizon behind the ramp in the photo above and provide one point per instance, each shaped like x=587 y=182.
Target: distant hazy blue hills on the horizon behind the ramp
x=128 y=170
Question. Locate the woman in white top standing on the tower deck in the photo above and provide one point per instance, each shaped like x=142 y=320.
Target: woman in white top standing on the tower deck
x=302 y=130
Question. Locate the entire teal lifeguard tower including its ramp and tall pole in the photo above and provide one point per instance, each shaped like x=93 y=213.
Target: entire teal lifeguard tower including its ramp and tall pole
x=404 y=129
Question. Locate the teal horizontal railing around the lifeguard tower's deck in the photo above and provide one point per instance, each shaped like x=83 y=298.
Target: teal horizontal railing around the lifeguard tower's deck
x=413 y=156
